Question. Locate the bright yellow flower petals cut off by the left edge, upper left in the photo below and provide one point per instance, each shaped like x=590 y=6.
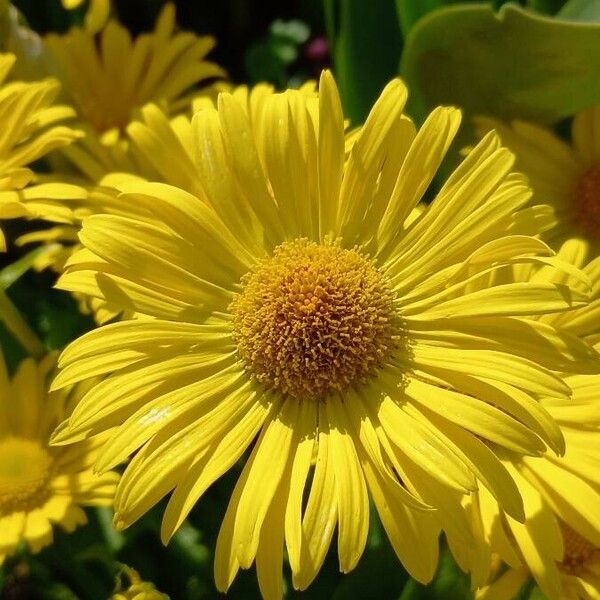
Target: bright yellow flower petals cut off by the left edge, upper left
x=29 y=130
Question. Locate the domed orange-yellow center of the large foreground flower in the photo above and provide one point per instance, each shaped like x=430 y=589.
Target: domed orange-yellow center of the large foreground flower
x=314 y=319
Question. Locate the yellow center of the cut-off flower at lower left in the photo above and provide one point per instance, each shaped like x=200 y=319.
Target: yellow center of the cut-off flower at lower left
x=25 y=470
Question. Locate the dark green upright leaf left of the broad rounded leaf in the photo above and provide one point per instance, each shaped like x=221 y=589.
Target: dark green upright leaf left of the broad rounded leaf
x=366 y=43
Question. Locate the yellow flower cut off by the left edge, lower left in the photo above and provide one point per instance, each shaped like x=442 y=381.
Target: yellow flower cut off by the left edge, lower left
x=41 y=486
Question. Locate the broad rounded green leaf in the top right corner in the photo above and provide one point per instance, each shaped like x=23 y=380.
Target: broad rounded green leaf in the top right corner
x=513 y=63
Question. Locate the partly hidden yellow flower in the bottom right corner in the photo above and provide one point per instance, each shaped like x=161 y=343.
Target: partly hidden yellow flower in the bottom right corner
x=563 y=559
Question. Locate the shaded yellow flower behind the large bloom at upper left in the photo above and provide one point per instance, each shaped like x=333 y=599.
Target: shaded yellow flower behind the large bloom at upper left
x=109 y=76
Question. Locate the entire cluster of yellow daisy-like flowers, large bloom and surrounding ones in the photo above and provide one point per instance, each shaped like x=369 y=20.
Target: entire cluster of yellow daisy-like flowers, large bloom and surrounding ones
x=281 y=296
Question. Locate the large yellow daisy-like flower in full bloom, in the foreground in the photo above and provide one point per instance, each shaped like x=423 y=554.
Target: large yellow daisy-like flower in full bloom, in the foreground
x=303 y=311
